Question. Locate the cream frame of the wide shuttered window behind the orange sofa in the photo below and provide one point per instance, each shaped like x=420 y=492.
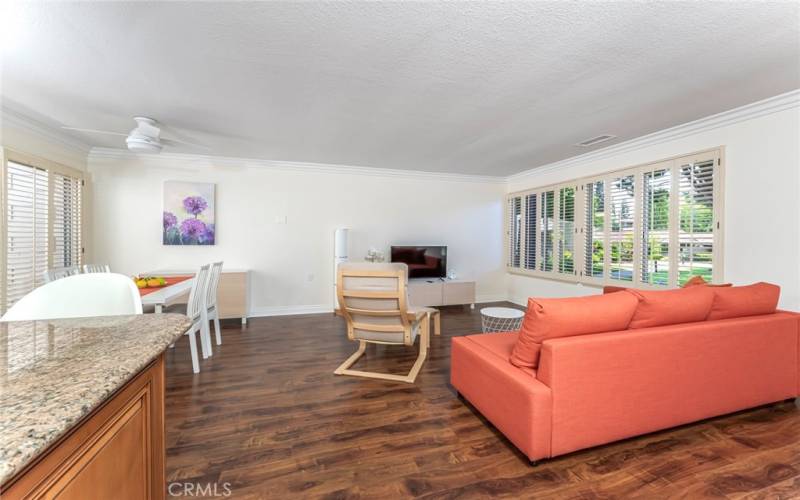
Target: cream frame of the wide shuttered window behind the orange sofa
x=673 y=164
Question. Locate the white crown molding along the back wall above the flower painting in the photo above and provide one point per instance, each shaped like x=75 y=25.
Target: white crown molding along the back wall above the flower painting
x=179 y=160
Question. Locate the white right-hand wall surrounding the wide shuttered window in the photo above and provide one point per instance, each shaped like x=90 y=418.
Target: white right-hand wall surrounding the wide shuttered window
x=761 y=190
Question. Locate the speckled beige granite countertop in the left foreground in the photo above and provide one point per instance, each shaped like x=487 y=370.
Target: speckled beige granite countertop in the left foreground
x=53 y=373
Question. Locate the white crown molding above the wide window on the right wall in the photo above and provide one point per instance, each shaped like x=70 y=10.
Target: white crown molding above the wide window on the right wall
x=750 y=111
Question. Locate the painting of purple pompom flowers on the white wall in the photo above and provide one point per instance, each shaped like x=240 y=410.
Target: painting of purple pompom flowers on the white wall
x=188 y=213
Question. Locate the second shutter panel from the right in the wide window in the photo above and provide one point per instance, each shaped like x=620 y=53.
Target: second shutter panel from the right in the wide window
x=655 y=224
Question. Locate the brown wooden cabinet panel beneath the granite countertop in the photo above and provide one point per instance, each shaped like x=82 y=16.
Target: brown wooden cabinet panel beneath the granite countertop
x=117 y=451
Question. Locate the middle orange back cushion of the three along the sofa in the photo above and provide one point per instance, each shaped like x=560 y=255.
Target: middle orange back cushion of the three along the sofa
x=671 y=307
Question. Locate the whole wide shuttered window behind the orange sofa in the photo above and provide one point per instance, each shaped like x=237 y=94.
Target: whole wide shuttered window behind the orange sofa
x=652 y=226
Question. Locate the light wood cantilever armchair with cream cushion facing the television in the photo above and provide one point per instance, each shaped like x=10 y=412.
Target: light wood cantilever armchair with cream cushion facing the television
x=373 y=299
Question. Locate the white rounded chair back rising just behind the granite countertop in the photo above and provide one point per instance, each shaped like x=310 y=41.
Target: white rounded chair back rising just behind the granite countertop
x=79 y=296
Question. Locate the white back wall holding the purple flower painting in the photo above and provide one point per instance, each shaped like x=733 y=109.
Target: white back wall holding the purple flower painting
x=292 y=263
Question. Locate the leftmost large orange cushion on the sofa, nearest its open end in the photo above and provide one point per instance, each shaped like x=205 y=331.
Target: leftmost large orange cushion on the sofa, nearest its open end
x=553 y=318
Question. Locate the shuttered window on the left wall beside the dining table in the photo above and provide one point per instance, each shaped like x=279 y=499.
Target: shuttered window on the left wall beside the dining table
x=42 y=229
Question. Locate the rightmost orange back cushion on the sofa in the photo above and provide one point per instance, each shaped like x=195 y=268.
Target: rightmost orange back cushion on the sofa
x=738 y=301
